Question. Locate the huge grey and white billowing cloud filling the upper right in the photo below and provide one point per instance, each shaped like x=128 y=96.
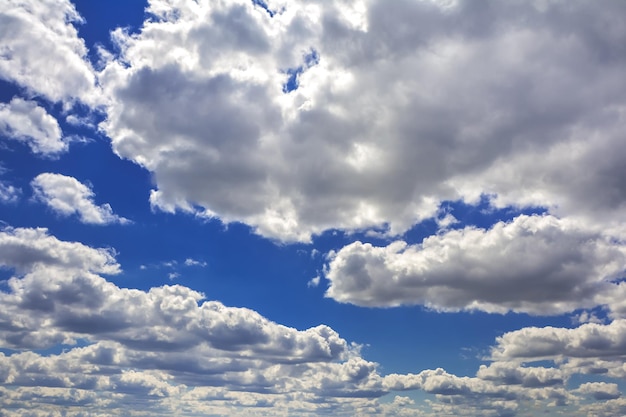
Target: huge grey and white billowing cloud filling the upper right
x=399 y=105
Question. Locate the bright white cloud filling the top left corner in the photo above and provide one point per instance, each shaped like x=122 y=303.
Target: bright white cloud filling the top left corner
x=41 y=51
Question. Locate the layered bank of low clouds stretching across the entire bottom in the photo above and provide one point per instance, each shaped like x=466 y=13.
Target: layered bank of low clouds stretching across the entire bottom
x=170 y=349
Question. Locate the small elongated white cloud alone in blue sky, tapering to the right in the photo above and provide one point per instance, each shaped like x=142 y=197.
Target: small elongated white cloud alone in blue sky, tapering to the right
x=67 y=196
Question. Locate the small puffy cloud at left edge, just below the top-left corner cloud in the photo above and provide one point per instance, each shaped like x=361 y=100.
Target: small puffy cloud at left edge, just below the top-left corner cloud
x=26 y=121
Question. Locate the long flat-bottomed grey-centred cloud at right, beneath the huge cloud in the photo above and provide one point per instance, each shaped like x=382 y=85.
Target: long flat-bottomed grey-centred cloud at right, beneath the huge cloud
x=533 y=264
